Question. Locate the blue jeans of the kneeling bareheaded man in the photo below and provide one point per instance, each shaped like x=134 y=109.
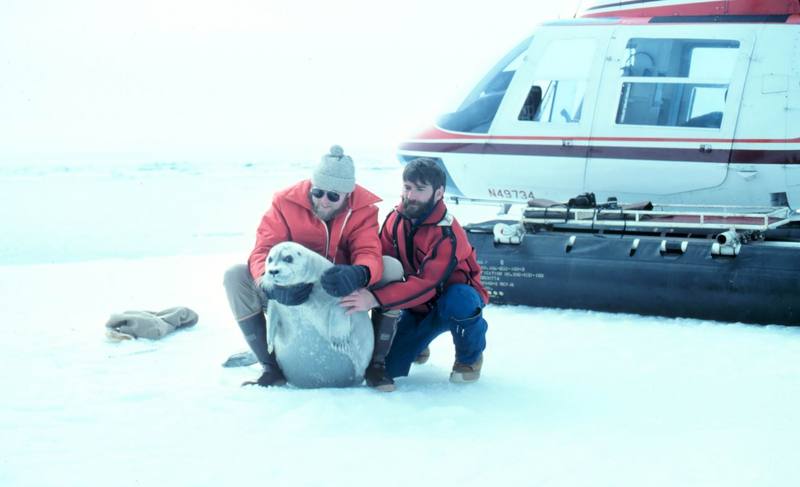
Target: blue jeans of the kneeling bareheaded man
x=460 y=310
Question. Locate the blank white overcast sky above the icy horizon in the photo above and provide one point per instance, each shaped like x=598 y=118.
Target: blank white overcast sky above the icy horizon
x=239 y=80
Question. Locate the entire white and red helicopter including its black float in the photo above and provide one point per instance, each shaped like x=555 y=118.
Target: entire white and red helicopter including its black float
x=689 y=111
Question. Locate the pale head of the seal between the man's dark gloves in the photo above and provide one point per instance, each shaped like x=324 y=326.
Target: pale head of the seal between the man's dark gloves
x=289 y=263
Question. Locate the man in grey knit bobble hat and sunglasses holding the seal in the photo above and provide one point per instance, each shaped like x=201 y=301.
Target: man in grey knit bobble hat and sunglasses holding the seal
x=330 y=215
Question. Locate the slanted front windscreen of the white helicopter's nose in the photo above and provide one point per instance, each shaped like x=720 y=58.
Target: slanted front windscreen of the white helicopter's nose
x=476 y=113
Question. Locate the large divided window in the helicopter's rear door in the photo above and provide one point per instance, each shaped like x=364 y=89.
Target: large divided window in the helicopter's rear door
x=676 y=82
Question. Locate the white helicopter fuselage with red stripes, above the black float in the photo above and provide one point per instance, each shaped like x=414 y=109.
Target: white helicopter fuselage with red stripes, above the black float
x=684 y=102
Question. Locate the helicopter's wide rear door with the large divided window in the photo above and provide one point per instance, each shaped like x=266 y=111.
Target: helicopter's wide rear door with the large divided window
x=668 y=104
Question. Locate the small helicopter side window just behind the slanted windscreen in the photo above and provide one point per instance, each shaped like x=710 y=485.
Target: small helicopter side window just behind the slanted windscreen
x=557 y=93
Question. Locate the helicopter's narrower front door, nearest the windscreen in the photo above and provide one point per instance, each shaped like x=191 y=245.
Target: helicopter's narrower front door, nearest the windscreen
x=538 y=139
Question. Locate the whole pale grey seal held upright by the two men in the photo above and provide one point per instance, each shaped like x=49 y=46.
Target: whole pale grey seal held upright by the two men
x=315 y=343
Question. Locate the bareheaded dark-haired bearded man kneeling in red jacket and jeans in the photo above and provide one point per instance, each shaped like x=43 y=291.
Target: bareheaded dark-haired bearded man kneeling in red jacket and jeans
x=441 y=291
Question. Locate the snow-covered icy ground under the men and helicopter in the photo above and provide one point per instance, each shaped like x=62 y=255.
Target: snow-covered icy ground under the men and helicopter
x=570 y=398
